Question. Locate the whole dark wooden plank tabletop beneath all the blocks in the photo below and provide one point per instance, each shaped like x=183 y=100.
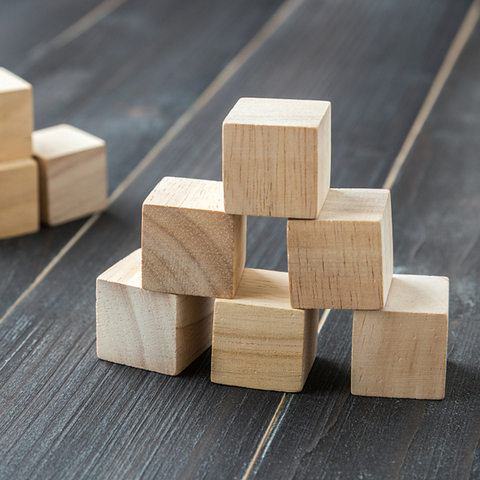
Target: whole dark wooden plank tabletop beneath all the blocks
x=155 y=79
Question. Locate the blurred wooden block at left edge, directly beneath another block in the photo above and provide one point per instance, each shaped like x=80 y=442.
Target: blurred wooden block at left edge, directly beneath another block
x=19 y=198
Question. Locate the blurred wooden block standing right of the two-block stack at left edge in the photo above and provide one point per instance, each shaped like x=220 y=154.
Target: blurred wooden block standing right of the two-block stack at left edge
x=73 y=173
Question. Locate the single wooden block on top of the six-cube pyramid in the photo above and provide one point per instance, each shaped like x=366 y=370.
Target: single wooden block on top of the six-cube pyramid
x=276 y=157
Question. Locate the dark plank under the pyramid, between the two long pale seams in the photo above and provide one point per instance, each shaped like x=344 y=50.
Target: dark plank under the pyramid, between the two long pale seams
x=70 y=414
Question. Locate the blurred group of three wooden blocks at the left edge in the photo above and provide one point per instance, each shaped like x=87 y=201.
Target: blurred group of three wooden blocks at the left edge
x=54 y=175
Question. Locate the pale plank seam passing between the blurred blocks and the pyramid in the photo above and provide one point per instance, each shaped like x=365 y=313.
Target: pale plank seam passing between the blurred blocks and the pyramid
x=270 y=27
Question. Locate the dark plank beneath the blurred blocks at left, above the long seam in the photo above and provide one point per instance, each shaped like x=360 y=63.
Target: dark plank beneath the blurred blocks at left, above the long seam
x=127 y=80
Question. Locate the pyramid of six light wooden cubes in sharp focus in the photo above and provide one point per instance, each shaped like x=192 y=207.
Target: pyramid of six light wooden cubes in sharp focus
x=157 y=308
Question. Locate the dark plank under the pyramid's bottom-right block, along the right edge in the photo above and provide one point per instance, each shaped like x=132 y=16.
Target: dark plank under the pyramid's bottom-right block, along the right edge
x=436 y=231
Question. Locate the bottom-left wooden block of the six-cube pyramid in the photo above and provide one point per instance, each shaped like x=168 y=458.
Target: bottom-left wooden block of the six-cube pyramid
x=155 y=331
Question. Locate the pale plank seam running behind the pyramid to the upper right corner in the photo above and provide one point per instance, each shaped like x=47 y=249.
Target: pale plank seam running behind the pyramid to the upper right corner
x=464 y=32
